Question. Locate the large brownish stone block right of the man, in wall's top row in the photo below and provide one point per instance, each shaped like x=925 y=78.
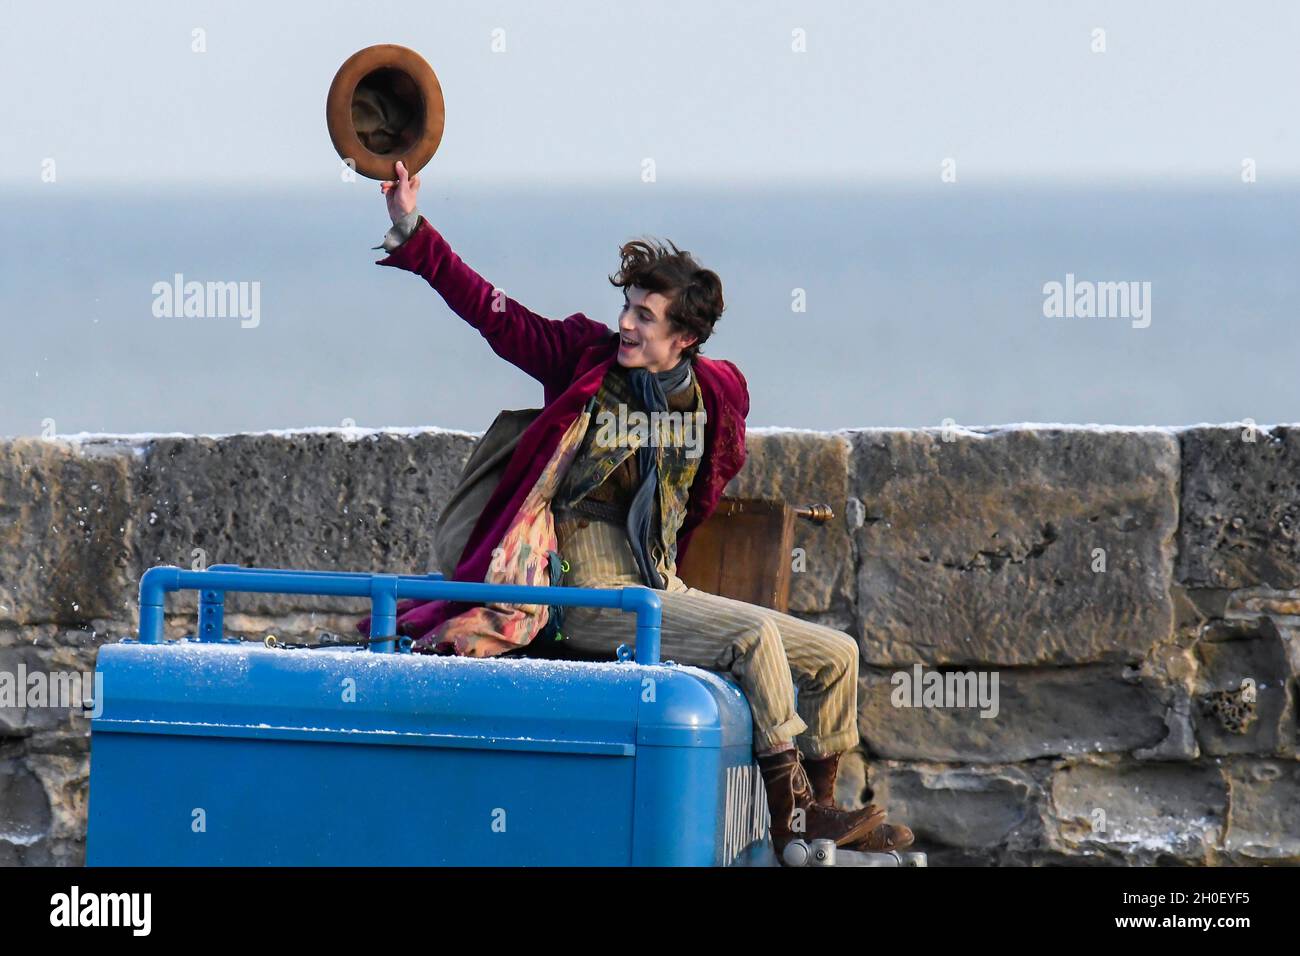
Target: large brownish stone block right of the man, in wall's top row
x=990 y=548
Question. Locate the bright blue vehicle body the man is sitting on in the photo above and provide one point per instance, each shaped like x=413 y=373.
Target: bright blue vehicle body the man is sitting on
x=222 y=752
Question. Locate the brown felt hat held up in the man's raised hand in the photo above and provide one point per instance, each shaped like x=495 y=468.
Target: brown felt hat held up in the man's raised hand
x=384 y=106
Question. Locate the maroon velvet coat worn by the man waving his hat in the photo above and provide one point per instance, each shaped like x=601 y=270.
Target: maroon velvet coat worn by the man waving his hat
x=570 y=358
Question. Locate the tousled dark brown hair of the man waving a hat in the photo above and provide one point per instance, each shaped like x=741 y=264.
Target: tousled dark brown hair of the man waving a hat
x=695 y=293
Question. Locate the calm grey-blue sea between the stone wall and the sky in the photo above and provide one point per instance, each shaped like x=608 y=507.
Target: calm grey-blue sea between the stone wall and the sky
x=920 y=305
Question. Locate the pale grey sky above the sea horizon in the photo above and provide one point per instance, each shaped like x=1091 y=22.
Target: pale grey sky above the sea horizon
x=712 y=92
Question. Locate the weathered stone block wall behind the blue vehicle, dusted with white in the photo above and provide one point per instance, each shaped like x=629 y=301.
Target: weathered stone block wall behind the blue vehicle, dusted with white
x=1134 y=592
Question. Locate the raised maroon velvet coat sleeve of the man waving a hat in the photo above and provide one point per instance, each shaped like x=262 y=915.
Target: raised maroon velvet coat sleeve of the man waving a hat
x=547 y=349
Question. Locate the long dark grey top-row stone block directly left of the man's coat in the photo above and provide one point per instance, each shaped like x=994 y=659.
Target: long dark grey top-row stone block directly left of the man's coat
x=311 y=501
